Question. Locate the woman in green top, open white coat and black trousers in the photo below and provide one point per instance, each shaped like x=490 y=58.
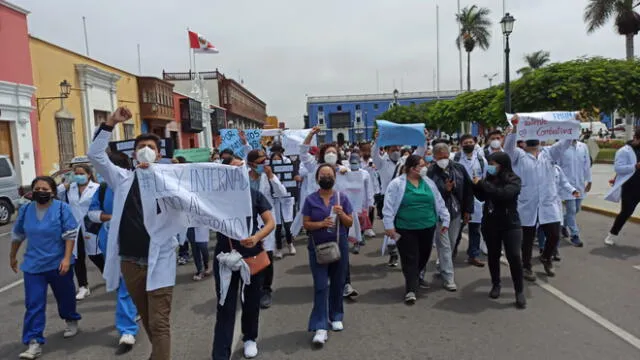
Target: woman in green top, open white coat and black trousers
x=411 y=212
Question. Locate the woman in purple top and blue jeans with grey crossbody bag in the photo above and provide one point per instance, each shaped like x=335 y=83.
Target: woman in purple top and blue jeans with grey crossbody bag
x=327 y=216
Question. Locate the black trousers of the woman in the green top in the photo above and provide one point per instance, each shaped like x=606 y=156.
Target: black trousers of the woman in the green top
x=414 y=247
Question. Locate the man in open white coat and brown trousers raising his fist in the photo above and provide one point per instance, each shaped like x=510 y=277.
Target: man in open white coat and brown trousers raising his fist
x=148 y=266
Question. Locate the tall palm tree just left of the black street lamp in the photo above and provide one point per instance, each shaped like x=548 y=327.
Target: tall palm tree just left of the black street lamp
x=474 y=30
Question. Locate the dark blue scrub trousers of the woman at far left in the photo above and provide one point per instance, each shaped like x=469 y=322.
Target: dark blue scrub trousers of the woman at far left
x=35 y=301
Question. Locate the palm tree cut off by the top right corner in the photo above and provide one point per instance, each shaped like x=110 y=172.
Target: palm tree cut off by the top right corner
x=627 y=21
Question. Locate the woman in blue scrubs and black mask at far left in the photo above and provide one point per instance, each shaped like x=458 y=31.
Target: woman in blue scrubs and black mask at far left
x=50 y=230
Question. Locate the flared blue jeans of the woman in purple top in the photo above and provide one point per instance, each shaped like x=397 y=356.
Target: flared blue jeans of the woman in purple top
x=328 y=284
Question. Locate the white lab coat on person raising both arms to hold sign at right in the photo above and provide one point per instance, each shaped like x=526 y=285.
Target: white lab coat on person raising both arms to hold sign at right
x=537 y=200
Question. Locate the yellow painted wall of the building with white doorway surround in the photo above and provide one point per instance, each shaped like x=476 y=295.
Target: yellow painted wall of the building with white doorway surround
x=52 y=64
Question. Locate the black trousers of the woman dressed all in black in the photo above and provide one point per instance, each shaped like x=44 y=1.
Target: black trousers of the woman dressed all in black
x=512 y=242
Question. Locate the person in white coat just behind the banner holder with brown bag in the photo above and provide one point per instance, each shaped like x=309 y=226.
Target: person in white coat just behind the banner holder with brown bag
x=263 y=180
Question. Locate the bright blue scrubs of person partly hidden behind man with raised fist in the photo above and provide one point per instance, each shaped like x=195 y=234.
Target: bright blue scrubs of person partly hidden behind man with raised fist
x=126 y=311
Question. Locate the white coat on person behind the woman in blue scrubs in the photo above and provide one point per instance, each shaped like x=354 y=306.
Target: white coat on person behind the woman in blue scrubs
x=79 y=205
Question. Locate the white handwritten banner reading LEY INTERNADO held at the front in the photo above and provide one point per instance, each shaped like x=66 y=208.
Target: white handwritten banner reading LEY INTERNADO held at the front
x=210 y=195
